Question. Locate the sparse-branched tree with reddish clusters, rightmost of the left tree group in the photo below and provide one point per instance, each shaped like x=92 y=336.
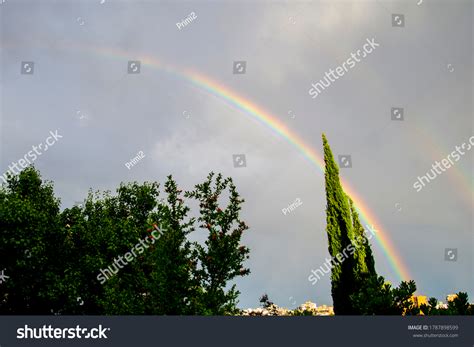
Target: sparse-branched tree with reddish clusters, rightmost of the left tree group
x=222 y=257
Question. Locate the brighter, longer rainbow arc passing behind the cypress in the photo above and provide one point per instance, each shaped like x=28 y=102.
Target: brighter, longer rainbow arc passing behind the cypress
x=272 y=122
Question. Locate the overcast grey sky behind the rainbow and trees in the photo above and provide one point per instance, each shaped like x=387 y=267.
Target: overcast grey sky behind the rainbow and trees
x=80 y=85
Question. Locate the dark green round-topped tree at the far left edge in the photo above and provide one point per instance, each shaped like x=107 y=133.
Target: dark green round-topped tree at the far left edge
x=31 y=245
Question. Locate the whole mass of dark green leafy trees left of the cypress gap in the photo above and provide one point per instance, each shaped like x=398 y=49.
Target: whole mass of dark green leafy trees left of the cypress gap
x=54 y=258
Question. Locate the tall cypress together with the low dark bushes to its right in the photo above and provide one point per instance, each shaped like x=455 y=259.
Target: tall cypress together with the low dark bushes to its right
x=355 y=286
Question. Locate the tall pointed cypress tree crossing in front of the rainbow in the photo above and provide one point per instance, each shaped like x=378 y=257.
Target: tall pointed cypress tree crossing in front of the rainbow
x=346 y=240
